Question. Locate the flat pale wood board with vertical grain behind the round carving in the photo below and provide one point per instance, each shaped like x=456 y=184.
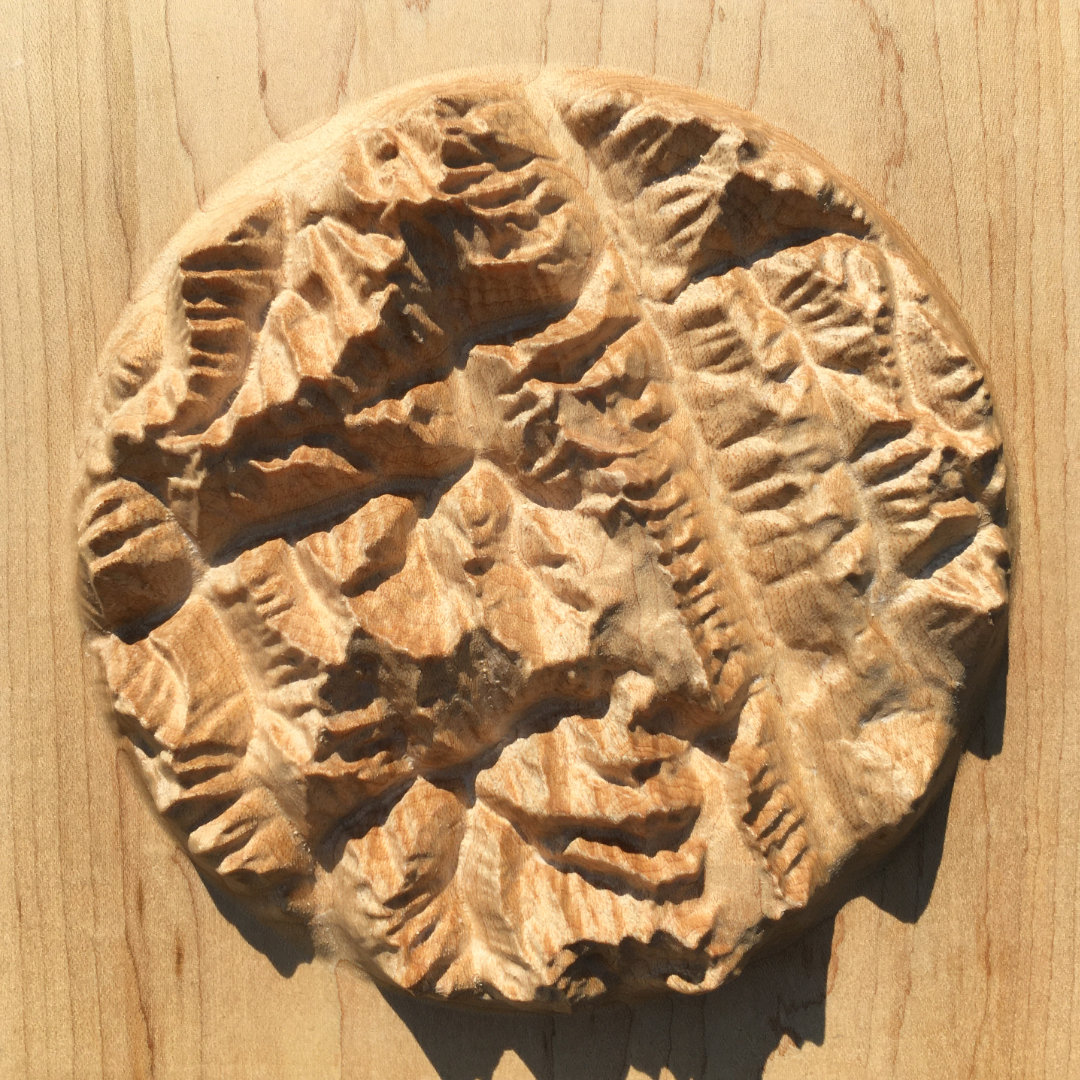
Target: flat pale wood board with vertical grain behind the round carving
x=117 y=118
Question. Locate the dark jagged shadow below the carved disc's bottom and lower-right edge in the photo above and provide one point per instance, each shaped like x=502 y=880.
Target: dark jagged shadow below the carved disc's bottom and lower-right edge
x=727 y=1035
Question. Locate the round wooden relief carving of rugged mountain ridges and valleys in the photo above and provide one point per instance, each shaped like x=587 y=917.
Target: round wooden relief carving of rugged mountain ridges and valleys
x=543 y=536
